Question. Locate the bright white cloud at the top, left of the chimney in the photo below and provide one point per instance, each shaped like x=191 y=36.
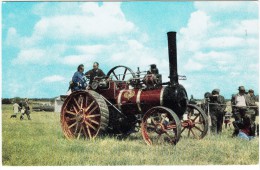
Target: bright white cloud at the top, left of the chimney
x=94 y=20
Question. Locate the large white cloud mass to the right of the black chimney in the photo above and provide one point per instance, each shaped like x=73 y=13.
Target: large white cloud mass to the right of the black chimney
x=220 y=43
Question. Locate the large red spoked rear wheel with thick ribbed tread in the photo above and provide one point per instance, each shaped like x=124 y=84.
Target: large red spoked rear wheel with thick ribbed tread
x=84 y=114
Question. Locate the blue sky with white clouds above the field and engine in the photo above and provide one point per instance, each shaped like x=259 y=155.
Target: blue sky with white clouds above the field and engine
x=44 y=42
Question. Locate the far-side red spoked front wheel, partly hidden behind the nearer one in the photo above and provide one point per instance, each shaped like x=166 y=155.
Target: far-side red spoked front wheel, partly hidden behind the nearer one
x=194 y=123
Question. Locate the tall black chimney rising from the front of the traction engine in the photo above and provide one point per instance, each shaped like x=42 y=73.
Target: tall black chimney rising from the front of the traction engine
x=172 y=47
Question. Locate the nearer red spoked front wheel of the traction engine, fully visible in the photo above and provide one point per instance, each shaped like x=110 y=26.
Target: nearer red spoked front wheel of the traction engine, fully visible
x=160 y=125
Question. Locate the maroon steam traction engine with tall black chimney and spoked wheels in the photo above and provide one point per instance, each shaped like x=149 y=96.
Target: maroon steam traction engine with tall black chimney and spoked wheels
x=120 y=103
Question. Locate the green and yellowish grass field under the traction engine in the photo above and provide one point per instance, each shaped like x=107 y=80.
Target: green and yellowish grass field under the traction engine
x=41 y=142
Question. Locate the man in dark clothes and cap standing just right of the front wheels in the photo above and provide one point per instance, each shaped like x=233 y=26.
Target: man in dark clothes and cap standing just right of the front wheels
x=216 y=108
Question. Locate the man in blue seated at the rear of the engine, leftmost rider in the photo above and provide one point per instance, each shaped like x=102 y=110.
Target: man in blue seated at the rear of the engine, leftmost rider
x=78 y=80
